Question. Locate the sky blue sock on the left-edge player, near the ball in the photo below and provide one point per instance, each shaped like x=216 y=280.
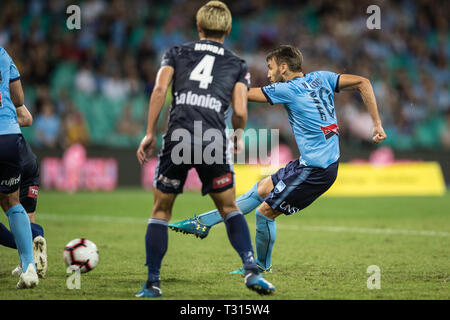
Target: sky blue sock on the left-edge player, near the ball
x=20 y=228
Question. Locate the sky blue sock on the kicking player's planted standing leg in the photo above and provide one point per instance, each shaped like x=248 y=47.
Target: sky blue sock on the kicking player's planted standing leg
x=265 y=239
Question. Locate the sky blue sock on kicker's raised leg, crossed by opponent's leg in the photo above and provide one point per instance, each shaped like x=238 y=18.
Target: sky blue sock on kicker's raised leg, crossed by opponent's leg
x=246 y=203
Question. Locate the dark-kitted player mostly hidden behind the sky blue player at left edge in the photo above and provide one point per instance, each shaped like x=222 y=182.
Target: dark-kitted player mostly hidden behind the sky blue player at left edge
x=28 y=194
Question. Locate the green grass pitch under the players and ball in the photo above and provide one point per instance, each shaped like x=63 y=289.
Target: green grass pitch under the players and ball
x=321 y=253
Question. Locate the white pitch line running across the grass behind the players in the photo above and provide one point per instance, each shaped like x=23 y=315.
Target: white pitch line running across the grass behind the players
x=133 y=220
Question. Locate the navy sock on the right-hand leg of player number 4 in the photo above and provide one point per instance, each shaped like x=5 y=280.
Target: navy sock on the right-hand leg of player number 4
x=239 y=236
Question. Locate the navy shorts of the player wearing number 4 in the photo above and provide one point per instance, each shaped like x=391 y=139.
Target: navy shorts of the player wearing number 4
x=170 y=177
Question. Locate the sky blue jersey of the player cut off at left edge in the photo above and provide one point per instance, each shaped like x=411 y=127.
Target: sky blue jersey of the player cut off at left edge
x=8 y=114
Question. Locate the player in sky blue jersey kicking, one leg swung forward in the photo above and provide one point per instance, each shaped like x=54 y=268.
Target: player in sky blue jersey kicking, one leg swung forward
x=309 y=103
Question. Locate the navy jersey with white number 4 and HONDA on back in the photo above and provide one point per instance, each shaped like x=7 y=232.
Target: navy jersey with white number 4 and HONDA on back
x=204 y=78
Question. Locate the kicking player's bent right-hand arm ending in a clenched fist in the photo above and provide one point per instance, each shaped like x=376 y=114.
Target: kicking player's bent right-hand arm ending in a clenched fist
x=349 y=82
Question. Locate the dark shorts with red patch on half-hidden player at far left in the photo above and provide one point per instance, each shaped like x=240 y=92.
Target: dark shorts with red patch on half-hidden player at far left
x=29 y=186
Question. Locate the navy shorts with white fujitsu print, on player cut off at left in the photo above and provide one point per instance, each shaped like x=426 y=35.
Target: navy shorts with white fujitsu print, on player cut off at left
x=10 y=162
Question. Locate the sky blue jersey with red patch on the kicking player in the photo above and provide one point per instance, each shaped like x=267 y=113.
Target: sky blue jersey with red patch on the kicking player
x=309 y=102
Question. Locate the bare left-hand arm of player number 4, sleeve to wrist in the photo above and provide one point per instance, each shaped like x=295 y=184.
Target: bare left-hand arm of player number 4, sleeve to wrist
x=158 y=97
